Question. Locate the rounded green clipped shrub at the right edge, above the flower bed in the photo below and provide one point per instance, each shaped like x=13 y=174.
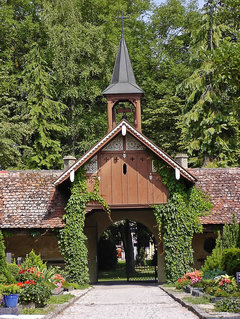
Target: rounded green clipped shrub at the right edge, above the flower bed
x=231 y=260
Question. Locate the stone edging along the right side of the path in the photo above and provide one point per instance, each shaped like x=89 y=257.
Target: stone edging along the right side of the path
x=196 y=310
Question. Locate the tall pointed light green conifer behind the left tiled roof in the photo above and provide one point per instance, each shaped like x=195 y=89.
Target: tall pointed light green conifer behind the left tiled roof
x=46 y=114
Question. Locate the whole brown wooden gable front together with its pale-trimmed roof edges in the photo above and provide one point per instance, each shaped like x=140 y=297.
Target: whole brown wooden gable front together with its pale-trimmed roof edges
x=122 y=161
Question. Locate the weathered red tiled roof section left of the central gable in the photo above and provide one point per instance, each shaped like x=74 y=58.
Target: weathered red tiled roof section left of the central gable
x=28 y=199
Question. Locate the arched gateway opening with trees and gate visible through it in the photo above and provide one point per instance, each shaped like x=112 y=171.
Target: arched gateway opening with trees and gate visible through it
x=127 y=252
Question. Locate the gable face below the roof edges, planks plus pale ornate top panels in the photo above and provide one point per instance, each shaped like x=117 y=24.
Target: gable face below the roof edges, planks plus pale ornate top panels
x=126 y=173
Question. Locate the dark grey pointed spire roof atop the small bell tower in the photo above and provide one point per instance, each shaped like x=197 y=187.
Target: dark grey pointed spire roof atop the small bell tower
x=123 y=79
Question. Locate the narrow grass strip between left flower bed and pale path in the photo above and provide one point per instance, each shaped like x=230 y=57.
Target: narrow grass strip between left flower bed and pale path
x=52 y=302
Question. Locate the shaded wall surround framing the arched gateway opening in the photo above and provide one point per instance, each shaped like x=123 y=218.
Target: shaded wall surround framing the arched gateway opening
x=97 y=222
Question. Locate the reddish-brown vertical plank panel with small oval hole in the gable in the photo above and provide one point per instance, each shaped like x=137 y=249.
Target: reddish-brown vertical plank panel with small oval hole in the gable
x=129 y=180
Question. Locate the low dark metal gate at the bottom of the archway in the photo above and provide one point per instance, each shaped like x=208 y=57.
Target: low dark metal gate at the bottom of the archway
x=143 y=273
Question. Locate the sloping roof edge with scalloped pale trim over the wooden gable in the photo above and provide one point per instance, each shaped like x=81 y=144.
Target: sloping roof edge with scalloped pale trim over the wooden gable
x=140 y=137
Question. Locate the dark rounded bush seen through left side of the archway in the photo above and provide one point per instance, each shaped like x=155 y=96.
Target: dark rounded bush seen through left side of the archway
x=107 y=254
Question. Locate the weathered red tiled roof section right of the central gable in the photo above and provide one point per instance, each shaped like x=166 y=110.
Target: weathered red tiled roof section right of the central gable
x=223 y=187
